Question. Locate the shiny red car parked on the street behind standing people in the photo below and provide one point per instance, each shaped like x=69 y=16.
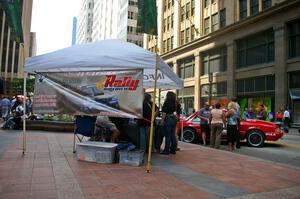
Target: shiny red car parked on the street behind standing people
x=256 y=132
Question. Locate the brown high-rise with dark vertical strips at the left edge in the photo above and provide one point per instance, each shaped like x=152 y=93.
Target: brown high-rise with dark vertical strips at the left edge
x=12 y=57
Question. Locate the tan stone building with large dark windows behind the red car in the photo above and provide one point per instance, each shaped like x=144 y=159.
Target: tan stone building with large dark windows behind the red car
x=248 y=48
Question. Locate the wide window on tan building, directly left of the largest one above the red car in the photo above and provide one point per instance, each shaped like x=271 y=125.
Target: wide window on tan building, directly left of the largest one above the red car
x=214 y=60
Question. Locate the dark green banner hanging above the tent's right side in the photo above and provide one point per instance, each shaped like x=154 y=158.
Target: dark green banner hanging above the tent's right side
x=147 y=17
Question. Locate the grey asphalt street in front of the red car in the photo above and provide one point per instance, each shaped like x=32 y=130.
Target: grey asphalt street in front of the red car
x=284 y=151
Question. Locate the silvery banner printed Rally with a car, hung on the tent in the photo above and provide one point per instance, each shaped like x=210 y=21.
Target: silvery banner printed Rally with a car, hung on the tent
x=109 y=93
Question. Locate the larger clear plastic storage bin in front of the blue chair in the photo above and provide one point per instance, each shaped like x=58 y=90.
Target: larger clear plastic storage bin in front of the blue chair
x=100 y=152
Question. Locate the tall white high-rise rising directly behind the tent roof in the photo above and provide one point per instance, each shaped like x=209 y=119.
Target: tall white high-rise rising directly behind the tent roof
x=116 y=19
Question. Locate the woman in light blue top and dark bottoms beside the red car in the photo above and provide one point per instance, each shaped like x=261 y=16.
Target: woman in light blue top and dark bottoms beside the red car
x=232 y=127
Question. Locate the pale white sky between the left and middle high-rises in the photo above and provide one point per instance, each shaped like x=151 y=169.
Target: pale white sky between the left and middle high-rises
x=52 y=20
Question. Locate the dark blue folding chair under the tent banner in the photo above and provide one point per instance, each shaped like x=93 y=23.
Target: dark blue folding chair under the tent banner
x=84 y=127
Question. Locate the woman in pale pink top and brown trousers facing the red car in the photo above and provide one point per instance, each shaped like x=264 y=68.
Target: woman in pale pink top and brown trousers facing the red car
x=216 y=120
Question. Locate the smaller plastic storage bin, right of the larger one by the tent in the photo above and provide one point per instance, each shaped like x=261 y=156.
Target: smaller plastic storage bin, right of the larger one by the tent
x=132 y=158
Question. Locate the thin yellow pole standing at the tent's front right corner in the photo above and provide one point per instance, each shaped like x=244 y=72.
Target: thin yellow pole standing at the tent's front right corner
x=153 y=108
